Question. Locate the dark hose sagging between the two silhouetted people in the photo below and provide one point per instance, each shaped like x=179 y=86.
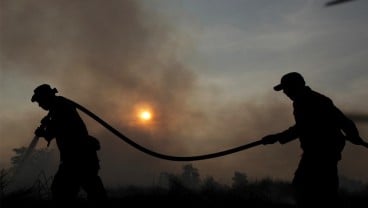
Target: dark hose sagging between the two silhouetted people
x=159 y=155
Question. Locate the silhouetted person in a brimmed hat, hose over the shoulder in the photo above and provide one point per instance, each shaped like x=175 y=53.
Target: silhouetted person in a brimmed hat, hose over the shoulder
x=79 y=163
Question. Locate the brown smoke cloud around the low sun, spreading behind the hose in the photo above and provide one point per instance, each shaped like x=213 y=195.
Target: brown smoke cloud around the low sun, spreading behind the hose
x=113 y=57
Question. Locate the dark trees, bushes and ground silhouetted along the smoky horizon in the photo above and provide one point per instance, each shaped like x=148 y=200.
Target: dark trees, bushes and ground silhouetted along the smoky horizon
x=184 y=189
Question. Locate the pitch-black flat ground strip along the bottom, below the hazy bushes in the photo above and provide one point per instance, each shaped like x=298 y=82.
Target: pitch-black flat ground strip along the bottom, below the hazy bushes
x=254 y=197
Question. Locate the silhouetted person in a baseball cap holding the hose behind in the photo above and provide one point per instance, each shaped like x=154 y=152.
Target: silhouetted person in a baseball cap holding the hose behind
x=322 y=130
